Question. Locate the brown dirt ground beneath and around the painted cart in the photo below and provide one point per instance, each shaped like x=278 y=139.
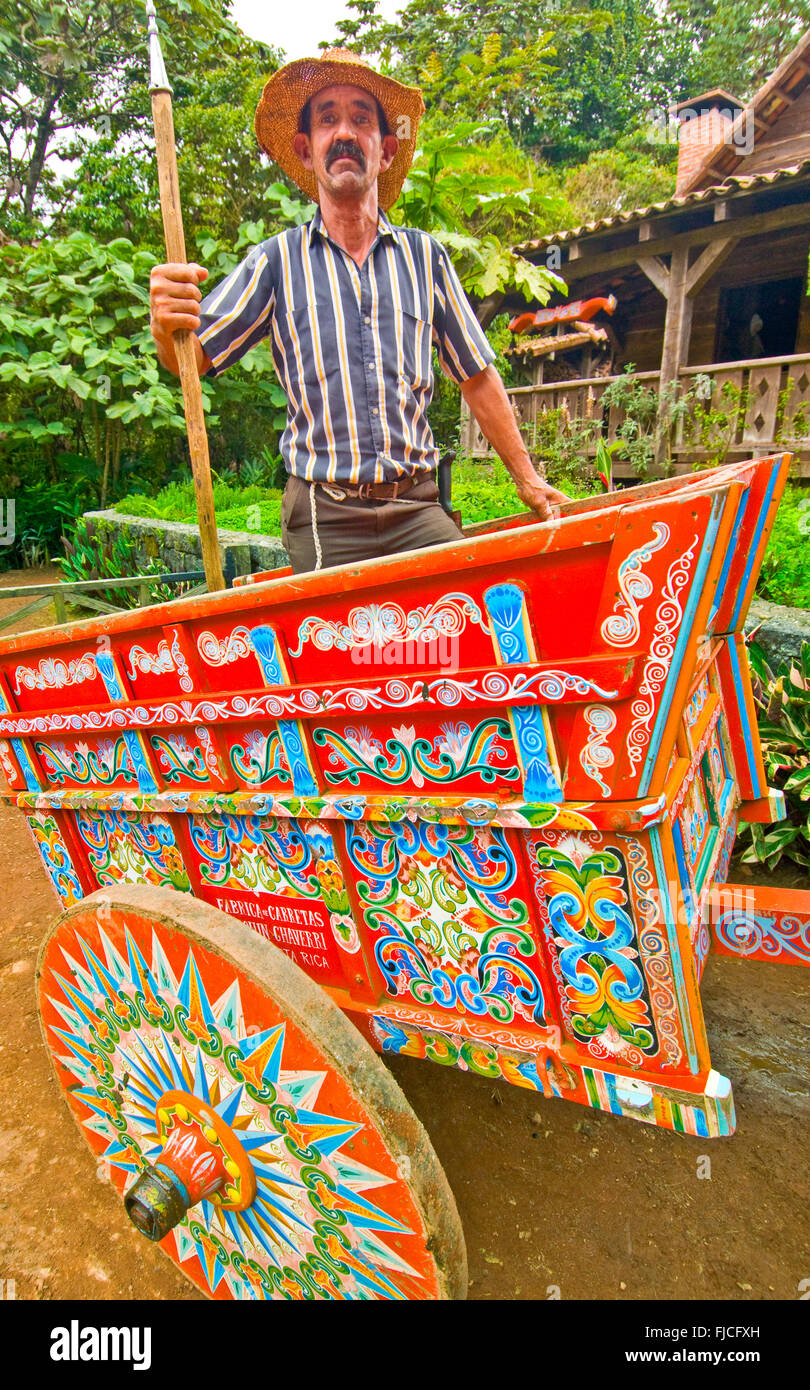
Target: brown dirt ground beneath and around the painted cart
x=552 y=1196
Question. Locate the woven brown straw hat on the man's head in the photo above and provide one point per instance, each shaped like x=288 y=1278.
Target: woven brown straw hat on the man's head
x=291 y=88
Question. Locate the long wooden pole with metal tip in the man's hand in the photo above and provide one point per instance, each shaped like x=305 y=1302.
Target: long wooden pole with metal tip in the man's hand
x=176 y=248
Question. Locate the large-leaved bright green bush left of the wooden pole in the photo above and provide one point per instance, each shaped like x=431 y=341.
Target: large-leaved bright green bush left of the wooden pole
x=78 y=375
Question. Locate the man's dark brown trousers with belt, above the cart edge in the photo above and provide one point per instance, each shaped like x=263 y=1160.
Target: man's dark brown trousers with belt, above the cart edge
x=354 y=530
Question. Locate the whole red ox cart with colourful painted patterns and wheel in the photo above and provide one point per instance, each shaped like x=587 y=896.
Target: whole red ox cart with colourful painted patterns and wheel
x=466 y=806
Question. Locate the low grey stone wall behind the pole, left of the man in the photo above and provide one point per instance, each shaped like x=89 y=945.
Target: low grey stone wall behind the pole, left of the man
x=177 y=546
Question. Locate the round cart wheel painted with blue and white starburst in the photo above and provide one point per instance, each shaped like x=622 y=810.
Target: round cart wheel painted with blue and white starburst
x=245 y=1121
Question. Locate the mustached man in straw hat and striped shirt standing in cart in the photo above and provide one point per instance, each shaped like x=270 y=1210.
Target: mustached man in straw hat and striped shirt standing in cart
x=352 y=306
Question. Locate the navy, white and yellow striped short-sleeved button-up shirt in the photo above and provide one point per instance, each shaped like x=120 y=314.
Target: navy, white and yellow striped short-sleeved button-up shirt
x=352 y=345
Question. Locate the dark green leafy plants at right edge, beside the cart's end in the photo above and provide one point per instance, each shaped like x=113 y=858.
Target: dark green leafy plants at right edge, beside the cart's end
x=783 y=700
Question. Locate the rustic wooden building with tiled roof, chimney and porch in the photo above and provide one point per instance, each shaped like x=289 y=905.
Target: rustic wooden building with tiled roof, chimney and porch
x=711 y=283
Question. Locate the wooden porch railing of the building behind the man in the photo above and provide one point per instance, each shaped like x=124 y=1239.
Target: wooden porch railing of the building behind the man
x=757 y=409
